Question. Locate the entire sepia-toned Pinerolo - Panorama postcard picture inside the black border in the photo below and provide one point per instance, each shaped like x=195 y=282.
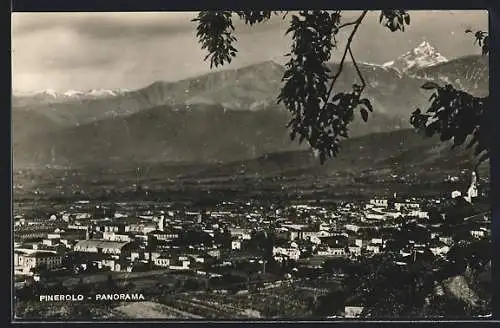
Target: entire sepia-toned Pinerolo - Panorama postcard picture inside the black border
x=251 y=165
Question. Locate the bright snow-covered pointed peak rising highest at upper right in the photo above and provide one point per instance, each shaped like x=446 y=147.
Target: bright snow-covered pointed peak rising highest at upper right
x=424 y=55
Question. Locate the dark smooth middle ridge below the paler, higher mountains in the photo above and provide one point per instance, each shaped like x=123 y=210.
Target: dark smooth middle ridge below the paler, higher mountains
x=162 y=134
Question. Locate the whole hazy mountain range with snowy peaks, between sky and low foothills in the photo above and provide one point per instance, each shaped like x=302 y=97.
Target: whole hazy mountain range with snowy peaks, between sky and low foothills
x=223 y=116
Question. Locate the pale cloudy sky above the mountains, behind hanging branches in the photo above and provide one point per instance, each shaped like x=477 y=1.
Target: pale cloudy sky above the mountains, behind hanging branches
x=83 y=51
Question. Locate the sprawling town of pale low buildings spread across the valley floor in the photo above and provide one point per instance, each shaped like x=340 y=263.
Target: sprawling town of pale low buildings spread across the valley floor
x=222 y=262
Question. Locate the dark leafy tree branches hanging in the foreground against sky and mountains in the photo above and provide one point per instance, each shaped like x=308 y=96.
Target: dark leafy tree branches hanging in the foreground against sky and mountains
x=319 y=115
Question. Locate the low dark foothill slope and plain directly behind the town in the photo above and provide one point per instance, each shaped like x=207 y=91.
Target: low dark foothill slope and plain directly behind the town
x=398 y=161
